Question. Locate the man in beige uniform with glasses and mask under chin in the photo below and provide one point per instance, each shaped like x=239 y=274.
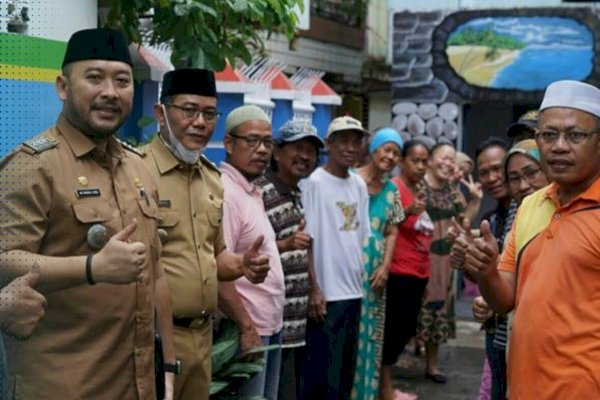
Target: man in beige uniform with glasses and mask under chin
x=190 y=208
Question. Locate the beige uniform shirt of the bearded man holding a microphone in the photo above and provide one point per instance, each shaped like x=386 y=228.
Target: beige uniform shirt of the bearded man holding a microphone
x=95 y=342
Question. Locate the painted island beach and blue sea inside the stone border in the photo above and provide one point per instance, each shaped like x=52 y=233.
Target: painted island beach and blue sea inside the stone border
x=524 y=53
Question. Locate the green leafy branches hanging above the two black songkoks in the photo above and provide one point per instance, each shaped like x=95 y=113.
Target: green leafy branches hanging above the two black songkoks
x=203 y=33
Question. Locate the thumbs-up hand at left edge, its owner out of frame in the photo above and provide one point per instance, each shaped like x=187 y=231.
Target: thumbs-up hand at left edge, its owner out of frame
x=21 y=307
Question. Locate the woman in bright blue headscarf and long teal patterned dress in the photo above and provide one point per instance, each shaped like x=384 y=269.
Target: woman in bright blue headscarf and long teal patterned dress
x=385 y=212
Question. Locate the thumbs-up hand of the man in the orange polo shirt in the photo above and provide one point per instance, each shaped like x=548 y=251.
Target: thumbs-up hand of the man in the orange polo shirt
x=482 y=255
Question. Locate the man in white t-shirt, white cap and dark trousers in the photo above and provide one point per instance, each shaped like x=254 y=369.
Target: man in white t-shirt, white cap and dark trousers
x=336 y=204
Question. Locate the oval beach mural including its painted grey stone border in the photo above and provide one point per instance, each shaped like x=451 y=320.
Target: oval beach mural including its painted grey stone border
x=513 y=55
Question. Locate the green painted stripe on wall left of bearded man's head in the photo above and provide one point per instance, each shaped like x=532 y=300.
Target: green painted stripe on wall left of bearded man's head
x=28 y=51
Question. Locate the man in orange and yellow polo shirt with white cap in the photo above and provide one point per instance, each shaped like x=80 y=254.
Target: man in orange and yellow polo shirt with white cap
x=550 y=271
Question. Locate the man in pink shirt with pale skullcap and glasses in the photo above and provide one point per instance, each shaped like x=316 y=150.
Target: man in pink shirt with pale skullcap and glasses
x=257 y=309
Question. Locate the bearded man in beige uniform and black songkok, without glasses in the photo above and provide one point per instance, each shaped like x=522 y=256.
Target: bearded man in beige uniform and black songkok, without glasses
x=84 y=208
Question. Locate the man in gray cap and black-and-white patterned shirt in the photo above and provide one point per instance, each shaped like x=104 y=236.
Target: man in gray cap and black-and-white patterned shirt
x=294 y=158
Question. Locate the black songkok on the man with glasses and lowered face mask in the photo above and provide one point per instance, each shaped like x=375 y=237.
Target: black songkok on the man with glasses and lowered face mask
x=189 y=81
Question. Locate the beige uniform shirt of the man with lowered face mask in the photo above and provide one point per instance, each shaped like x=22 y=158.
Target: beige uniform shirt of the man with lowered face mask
x=190 y=208
